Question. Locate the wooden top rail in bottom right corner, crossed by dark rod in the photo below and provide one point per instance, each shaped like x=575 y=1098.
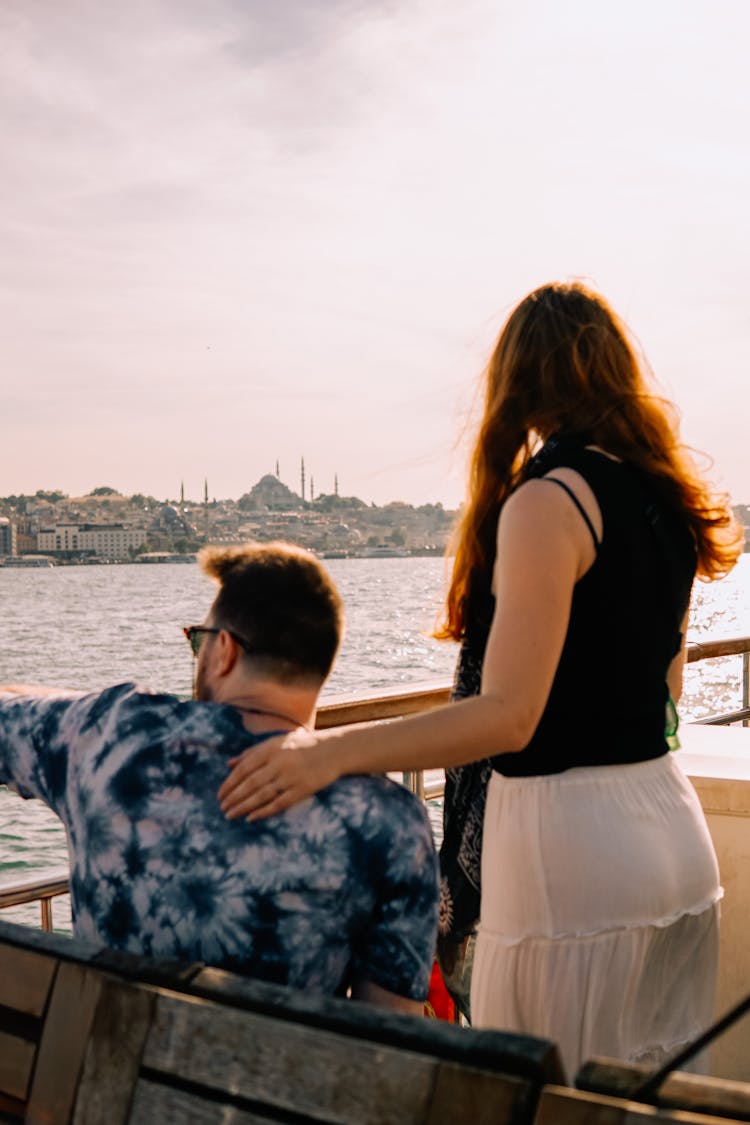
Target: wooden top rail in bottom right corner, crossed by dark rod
x=695 y=1093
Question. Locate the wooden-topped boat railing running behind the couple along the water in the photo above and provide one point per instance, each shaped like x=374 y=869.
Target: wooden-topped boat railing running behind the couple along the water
x=385 y=707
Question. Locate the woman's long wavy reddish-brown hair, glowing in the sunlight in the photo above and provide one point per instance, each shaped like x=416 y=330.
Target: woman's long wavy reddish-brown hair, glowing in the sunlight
x=564 y=365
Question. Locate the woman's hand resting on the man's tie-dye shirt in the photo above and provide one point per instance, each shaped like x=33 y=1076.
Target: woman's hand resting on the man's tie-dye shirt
x=277 y=775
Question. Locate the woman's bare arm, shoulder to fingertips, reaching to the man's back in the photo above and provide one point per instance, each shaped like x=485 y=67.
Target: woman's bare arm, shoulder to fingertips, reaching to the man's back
x=543 y=550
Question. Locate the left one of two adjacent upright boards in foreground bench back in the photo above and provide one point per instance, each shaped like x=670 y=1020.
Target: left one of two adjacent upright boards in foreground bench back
x=64 y=1045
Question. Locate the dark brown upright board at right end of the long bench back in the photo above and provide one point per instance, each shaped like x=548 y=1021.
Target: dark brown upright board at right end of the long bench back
x=466 y=1094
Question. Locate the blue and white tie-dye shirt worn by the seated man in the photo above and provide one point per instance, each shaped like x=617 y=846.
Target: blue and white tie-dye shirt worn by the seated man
x=341 y=888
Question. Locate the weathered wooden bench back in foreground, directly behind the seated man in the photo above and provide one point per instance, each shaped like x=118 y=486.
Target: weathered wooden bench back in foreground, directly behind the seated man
x=92 y=1037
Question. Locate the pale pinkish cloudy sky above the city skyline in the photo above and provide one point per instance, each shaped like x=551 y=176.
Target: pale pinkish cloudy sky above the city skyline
x=236 y=233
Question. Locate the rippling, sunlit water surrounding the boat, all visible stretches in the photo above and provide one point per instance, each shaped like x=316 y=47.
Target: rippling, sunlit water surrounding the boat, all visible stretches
x=88 y=627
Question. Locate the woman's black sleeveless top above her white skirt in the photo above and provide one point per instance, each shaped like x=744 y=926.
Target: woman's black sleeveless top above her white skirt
x=609 y=698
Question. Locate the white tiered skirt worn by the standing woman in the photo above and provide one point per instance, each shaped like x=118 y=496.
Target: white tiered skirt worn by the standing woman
x=600 y=912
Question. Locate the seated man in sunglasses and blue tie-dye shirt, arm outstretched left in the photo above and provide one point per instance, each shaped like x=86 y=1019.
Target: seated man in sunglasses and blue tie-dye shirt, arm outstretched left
x=338 y=894
